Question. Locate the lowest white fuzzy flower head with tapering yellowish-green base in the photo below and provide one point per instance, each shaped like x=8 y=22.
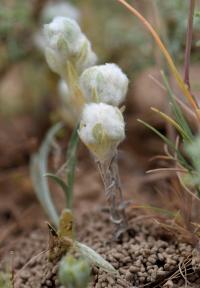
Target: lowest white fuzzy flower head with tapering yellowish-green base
x=102 y=128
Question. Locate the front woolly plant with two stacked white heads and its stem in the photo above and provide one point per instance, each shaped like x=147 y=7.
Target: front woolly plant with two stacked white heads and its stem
x=102 y=129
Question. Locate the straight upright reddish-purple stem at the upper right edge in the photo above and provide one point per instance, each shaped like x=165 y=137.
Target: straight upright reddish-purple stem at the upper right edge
x=188 y=43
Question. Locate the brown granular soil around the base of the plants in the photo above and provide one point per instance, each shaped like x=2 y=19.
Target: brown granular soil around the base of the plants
x=146 y=256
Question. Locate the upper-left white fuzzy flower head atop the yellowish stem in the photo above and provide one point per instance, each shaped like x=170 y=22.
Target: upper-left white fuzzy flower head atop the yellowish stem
x=65 y=42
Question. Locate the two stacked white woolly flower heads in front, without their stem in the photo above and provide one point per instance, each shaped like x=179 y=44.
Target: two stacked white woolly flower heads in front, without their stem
x=102 y=126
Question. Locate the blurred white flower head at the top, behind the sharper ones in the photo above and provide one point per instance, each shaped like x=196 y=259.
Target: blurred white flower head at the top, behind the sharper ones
x=51 y=10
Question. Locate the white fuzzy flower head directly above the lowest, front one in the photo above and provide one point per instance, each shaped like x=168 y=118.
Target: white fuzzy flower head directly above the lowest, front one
x=104 y=83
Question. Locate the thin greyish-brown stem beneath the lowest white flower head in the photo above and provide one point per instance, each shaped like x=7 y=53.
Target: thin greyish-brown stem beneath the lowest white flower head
x=112 y=185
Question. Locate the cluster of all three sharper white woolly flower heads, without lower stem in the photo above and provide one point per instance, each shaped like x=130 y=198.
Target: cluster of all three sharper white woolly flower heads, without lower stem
x=102 y=87
